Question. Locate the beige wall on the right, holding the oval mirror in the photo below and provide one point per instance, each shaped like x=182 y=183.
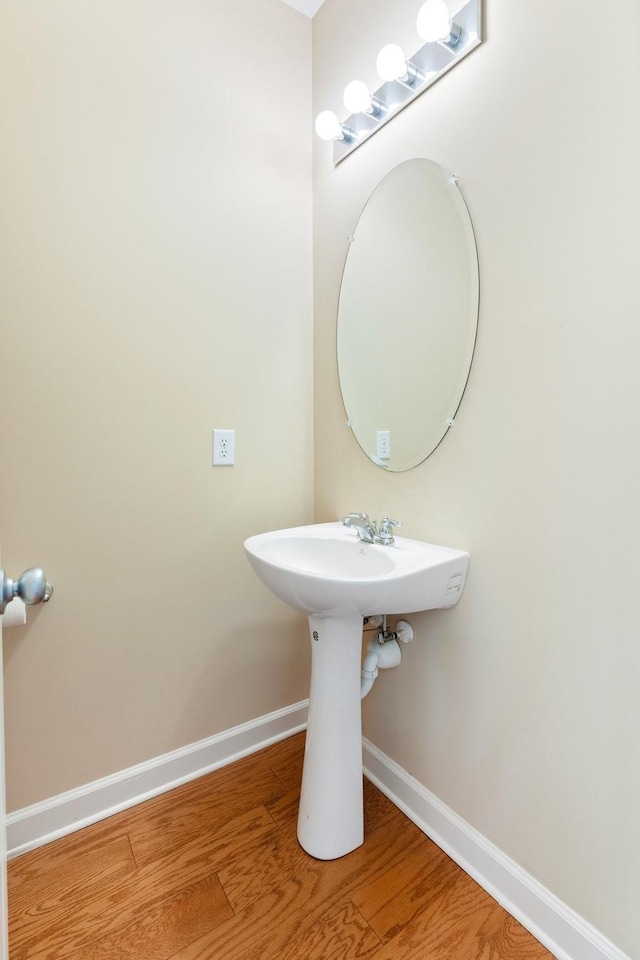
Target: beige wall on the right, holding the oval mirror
x=520 y=708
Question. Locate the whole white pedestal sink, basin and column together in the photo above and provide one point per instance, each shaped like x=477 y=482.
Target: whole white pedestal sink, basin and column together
x=325 y=571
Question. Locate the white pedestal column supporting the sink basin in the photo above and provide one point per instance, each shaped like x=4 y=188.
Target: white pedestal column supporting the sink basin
x=330 y=818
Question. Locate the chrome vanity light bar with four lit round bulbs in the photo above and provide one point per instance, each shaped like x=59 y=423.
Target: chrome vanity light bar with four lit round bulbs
x=446 y=40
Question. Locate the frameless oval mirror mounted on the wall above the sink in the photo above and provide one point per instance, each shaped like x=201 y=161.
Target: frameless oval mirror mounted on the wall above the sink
x=408 y=314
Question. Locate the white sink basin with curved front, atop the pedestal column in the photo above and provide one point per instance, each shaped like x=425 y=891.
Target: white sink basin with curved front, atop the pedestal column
x=324 y=569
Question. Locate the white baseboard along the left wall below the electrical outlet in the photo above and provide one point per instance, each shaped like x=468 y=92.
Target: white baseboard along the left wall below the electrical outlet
x=38 y=824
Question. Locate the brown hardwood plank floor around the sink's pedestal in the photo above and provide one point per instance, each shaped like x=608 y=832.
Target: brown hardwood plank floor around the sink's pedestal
x=213 y=871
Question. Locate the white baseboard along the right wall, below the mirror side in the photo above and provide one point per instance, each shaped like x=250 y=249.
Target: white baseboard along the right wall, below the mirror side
x=553 y=923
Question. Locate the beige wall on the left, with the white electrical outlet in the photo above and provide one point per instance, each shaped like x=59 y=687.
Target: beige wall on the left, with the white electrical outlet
x=155 y=195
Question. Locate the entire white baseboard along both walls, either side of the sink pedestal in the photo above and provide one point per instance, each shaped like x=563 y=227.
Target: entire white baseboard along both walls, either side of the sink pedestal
x=554 y=924
